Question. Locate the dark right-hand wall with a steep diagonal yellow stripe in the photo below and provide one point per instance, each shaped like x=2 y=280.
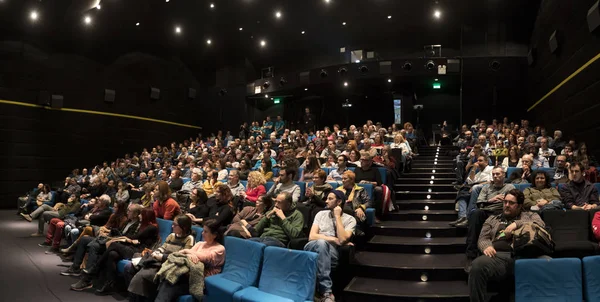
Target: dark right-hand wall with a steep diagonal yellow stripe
x=575 y=107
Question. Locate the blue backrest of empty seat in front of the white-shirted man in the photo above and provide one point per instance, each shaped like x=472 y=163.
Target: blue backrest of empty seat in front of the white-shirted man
x=289 y=273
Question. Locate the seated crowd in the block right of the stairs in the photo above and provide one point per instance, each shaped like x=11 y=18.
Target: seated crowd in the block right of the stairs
x=493 y=161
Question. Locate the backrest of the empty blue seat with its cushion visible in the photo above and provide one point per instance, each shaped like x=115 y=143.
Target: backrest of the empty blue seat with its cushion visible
x=243 y=261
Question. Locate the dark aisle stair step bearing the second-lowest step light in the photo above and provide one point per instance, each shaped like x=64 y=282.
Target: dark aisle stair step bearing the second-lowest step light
x=417 y=245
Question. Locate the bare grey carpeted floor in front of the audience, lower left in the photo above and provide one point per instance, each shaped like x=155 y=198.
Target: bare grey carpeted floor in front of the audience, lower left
x=27 y=274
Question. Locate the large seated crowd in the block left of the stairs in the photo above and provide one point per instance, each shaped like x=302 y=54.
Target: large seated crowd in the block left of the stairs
x=247 y=187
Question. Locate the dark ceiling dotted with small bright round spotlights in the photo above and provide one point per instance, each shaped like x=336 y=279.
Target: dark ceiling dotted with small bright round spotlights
x=112 y=32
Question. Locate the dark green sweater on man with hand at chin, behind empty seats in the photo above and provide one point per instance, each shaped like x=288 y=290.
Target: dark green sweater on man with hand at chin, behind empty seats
x=282 y=230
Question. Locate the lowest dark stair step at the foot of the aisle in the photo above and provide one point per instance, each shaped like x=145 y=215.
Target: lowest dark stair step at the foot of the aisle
x=371 y=289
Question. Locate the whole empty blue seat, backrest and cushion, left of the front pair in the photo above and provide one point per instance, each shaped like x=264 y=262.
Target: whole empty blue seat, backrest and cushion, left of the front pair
x=243 y=260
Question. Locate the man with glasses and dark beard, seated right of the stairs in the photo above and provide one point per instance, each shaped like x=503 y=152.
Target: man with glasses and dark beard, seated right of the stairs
x=495 y=241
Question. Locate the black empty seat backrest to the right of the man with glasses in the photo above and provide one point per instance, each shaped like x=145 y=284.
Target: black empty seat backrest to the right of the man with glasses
x=568 y=225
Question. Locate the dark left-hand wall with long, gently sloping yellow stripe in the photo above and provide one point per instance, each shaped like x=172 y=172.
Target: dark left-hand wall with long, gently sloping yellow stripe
x=41 y=145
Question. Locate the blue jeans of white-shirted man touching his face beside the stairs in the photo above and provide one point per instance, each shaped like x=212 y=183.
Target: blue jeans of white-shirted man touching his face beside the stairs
x=328 y=257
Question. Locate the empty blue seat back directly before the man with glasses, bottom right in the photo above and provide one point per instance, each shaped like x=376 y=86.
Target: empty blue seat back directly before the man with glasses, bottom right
x=541 y=280
